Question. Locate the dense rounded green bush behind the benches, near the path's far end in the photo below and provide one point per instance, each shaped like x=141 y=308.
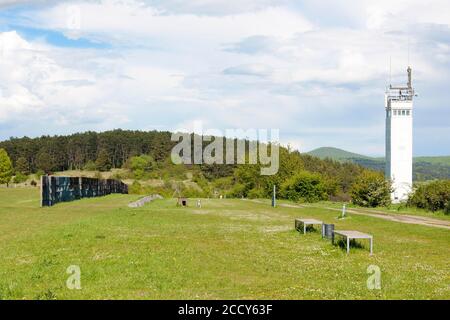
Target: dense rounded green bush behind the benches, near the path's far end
x=304 y=186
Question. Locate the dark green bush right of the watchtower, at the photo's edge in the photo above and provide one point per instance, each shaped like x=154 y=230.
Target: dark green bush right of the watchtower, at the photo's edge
x=432 y=196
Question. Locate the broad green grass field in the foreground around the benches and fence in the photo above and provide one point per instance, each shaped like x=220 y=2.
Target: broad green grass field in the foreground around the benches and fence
x=228 y=249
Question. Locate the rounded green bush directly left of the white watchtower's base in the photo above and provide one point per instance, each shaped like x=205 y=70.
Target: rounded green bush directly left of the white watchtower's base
x=371 y=189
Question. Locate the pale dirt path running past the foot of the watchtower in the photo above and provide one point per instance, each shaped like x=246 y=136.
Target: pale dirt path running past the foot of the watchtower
x=403 y=218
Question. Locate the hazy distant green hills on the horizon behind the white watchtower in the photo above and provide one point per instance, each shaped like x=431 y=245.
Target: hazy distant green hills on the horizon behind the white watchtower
x=424 y=168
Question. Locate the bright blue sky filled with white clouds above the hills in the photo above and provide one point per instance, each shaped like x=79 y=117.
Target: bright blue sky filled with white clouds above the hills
x=315 y=70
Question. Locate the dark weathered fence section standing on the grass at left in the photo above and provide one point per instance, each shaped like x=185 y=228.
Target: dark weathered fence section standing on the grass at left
x=63 y=189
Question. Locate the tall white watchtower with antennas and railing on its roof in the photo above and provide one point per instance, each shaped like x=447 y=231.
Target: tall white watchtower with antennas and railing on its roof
x=399 y=125
